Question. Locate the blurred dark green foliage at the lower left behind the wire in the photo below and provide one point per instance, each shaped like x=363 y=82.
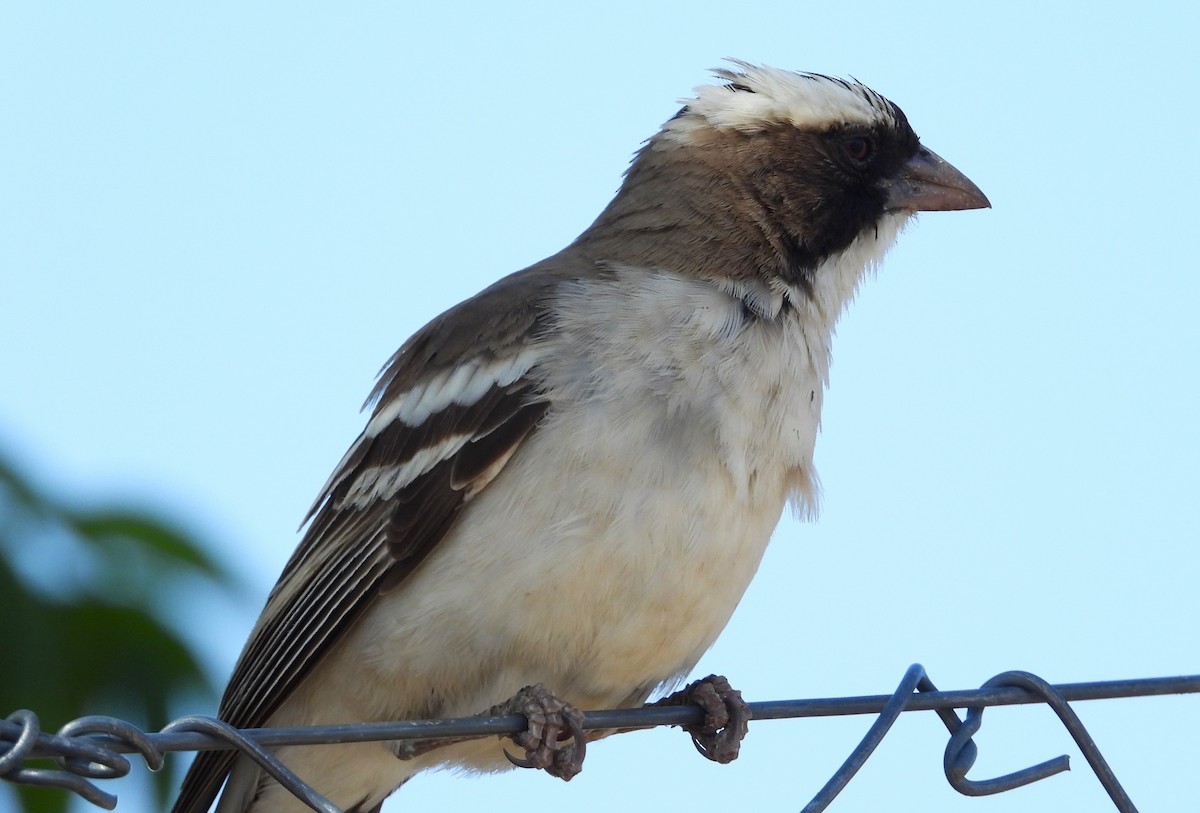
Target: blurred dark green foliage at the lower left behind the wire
x=82 y=616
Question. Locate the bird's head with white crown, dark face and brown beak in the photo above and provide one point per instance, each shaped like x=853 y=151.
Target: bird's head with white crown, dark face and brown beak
x=773 y=173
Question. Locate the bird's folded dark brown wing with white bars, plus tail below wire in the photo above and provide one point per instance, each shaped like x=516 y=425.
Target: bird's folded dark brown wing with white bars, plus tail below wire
x=445 y=425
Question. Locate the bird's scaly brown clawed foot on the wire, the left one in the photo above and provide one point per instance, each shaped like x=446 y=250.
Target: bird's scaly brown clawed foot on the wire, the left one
x=555 y=739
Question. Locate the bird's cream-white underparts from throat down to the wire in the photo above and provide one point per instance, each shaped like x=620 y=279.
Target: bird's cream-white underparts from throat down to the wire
x=613 y=550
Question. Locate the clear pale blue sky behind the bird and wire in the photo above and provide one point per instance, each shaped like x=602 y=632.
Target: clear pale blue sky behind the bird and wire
x=218 y=222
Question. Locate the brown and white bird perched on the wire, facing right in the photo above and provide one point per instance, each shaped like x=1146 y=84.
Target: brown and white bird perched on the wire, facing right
x=567 y=483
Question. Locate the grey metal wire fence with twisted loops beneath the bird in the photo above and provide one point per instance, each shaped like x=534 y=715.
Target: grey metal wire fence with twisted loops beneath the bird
x=93 y=748
